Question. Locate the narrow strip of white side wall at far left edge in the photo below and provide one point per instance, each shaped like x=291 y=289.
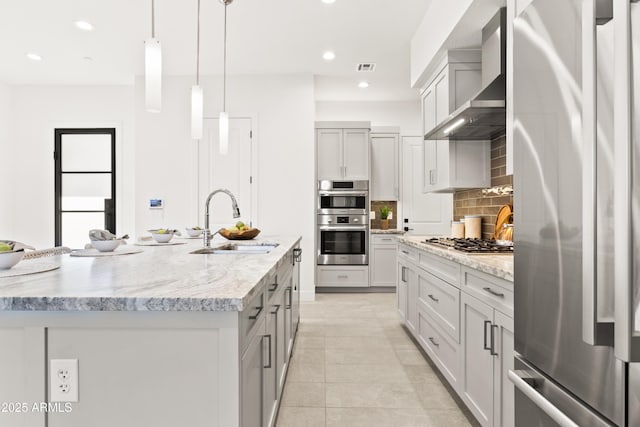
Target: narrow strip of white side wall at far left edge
x=7 y=170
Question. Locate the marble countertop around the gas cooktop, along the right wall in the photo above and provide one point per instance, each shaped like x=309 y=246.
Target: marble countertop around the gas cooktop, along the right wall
x=497 y=265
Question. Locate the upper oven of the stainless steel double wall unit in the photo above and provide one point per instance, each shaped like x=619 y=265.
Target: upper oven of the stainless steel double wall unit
x=343 y=197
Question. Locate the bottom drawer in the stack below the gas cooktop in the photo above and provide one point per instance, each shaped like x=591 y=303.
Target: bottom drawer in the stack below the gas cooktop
x=444 y=353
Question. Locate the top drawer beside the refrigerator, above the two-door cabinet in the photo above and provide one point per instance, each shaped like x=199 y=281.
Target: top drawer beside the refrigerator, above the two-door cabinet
x=496 y=292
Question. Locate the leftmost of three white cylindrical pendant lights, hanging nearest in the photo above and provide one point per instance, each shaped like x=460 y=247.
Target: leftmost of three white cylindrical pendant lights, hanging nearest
x=153 y=68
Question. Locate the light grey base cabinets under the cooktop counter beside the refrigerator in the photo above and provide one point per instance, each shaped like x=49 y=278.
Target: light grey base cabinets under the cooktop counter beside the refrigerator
x=463 y=319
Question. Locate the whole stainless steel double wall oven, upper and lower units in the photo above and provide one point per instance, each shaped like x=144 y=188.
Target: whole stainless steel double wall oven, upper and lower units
x=343 y=223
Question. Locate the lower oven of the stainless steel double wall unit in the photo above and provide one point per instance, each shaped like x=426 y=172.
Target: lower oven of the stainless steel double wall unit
x=343 y=240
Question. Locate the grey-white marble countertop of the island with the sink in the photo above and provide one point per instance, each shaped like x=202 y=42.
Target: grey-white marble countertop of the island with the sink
x=161 y=278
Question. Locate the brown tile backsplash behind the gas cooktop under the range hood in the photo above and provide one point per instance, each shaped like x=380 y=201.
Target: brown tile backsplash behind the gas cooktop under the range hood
x=472 y=201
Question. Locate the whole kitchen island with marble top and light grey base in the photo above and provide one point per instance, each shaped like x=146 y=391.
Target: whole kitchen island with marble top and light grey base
x=162 y=337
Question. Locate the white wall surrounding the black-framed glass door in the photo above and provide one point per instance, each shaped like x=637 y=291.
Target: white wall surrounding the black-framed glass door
x=35 y=112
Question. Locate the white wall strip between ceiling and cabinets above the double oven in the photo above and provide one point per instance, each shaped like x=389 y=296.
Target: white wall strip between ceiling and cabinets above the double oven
x=405 y=114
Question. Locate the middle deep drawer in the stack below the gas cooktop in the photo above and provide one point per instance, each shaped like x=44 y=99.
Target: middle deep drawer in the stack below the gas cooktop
x=442 y=302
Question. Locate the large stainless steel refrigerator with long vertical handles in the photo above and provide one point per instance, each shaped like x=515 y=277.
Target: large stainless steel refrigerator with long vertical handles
x=576 y=144
